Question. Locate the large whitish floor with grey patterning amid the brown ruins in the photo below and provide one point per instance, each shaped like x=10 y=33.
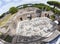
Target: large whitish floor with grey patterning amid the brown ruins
x=36 y=26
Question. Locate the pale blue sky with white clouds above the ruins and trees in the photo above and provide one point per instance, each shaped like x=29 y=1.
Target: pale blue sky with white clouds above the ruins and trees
x=6 y=4
